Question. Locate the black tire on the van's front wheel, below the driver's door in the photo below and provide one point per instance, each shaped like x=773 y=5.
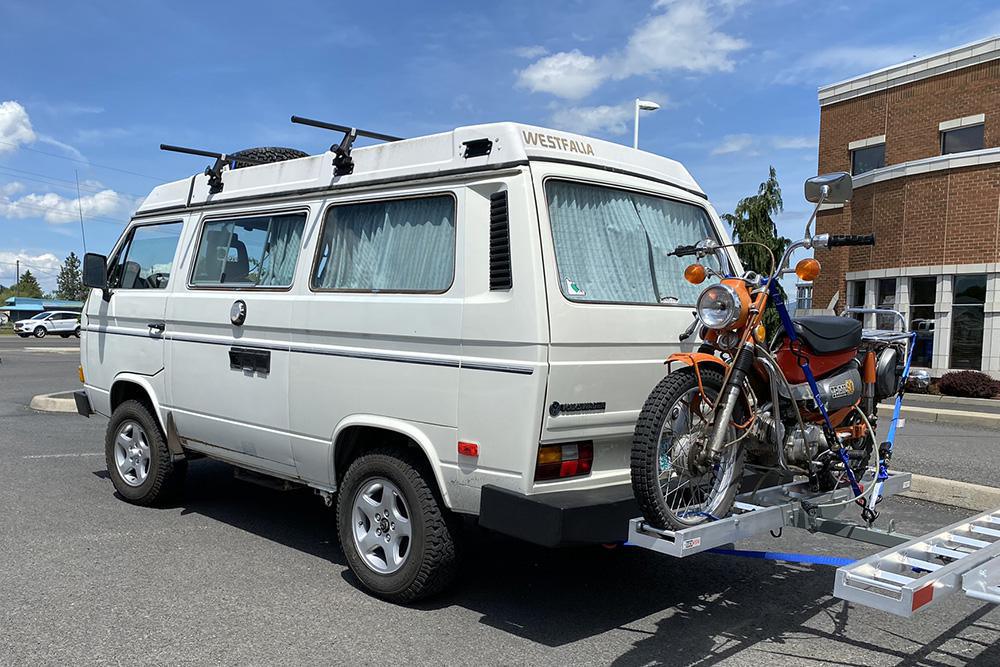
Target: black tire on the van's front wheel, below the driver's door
x=164 y=474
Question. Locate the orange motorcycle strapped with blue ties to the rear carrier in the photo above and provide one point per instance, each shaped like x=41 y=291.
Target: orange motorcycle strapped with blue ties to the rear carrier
x=803 y=405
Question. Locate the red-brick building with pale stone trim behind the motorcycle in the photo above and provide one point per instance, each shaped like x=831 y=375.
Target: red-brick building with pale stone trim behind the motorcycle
x=922 y=139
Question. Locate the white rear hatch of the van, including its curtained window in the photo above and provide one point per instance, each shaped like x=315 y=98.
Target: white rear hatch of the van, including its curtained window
x=617 y=303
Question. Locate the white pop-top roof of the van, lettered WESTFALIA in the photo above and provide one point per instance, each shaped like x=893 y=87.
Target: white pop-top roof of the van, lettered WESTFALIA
x=422 y=157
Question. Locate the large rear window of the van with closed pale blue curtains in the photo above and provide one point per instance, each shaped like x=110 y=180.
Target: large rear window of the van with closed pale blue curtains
x=612 y=245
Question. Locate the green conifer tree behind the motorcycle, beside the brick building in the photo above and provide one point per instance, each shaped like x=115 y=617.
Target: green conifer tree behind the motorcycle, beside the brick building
x=752 y=222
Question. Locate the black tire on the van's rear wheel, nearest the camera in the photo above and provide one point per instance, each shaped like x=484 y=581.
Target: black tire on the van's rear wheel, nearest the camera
x=432 y=557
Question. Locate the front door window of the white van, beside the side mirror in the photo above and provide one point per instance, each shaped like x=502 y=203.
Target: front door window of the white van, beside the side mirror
x=146 y=258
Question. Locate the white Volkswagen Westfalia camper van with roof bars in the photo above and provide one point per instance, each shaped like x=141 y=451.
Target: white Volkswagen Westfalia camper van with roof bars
x=465 y=323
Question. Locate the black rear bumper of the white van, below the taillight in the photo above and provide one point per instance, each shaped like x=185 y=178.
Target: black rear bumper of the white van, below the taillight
x=589 y=516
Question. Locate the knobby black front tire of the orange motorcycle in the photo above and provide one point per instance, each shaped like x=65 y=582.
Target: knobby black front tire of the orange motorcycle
x=646 y=449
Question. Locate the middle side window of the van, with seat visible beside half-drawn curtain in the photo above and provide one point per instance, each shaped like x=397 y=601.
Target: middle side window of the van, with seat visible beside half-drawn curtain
x=249 y=252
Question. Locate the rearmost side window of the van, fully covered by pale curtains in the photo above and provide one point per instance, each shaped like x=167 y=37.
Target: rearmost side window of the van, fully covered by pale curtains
x=404 y=245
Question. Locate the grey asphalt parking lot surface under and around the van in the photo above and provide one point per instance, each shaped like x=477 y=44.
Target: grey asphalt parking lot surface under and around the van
x=233 y=573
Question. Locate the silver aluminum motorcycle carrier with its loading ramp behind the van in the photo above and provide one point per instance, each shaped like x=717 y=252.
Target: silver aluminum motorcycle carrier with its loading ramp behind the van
x=910 y=574
